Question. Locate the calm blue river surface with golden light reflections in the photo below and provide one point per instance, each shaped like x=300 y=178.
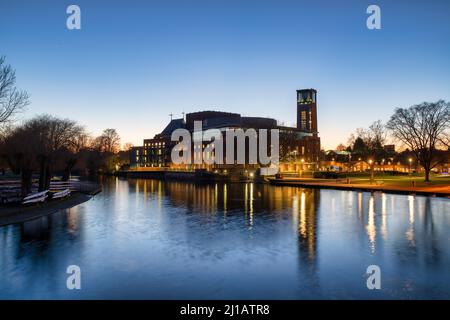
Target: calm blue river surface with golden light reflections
x=168 y=240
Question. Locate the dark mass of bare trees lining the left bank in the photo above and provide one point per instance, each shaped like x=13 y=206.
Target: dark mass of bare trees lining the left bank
x=45 y=144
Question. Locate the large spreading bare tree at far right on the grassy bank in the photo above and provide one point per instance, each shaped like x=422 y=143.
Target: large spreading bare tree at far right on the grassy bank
x=421 y=127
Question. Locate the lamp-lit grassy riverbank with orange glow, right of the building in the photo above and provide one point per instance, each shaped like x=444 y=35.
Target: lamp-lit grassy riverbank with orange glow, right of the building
x=438 y=190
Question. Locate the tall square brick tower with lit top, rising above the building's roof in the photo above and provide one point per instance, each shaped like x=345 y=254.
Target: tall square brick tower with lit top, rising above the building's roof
x=307 y=110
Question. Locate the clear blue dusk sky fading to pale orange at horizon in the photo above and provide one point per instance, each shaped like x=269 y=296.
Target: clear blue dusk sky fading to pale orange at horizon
x=133 y=63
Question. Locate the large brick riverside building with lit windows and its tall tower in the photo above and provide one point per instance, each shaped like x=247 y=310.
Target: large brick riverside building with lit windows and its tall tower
x=304 y=147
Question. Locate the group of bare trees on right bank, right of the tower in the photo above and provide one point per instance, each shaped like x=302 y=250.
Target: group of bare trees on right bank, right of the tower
x=422 y=130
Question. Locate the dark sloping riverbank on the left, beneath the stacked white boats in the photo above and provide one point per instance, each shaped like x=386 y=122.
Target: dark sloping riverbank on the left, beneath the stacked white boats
x=16 y=213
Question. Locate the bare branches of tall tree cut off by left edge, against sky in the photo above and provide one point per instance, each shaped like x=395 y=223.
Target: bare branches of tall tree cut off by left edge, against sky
x=12 y=100
